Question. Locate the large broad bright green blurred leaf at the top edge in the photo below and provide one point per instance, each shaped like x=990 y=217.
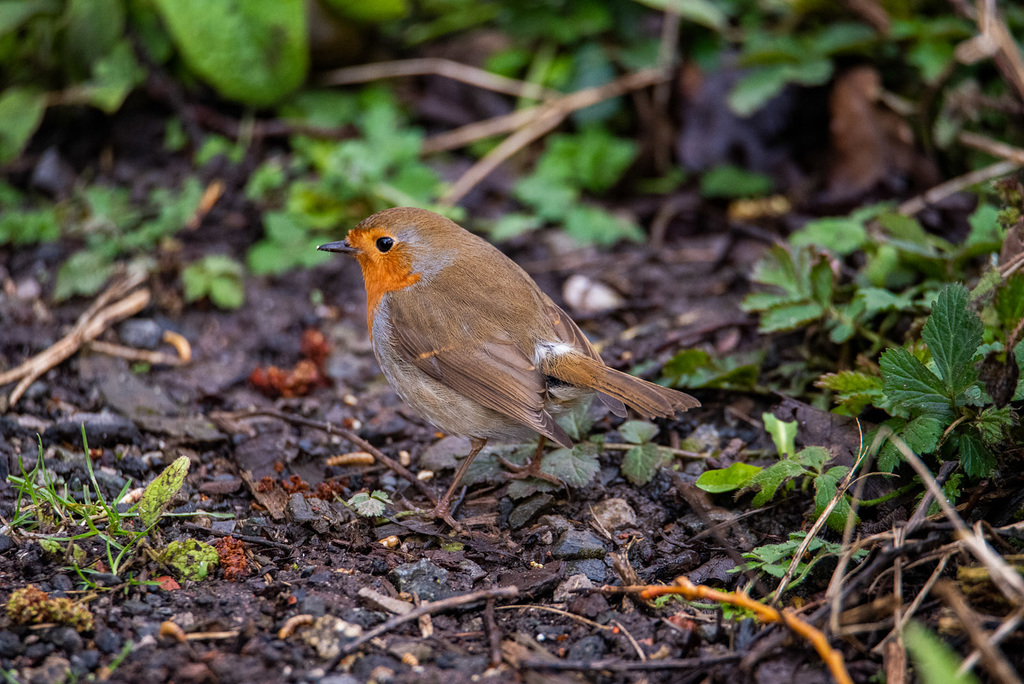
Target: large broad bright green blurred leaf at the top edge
x=254 y=53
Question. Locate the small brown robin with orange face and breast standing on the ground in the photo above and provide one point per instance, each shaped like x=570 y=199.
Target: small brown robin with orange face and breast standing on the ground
x=467 y=338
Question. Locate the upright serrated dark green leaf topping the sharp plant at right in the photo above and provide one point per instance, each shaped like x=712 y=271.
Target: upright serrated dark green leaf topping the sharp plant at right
x=954 y=334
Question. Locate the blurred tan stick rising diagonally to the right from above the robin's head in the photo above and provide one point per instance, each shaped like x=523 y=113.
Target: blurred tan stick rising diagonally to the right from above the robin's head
x=548 y=117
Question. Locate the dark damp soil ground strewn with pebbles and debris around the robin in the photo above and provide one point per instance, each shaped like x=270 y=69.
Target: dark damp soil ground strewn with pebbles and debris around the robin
x=306 y=554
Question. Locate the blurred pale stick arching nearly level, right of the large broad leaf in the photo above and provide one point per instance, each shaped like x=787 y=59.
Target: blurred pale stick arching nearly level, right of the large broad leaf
x=439 y=67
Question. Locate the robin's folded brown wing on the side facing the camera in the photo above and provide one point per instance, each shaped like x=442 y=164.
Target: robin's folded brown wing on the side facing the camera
x=485 y=366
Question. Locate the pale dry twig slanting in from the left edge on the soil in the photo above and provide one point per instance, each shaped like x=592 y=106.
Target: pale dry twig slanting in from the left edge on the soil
x=90 y=326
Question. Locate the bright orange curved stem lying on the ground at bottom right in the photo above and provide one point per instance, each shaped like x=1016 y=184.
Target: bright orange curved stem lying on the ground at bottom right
x=684 y=587
